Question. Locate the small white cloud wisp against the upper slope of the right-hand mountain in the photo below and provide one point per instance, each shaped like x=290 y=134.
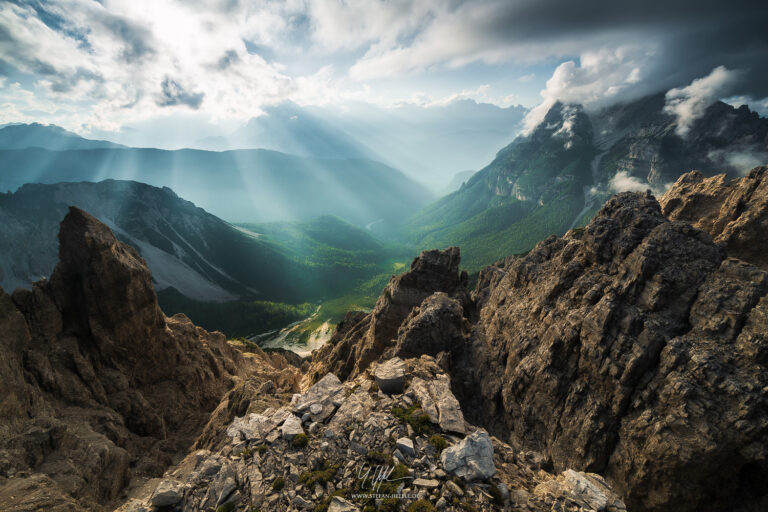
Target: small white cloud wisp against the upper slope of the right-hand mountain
x=688 y=103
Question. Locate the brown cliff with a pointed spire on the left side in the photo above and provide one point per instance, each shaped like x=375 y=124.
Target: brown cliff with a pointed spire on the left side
x=97 y=385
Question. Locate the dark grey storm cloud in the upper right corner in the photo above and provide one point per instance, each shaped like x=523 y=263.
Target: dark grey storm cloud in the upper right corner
x=694 y=36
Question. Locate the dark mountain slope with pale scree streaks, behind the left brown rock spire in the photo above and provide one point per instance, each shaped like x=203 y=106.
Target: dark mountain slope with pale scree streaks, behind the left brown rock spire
x=195 y=257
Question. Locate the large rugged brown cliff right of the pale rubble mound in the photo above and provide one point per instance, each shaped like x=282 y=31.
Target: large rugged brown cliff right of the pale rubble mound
x=635 y=348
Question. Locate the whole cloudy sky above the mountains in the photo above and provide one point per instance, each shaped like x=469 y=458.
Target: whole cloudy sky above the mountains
x=114 y=65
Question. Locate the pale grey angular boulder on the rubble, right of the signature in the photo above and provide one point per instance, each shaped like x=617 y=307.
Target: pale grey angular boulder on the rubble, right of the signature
x=471 y=459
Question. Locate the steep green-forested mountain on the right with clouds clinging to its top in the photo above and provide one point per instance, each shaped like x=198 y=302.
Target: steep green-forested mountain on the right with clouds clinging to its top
x=559 y=175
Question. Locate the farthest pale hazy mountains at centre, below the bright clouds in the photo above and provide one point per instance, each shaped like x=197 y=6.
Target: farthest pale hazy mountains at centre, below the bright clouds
x=430 y=144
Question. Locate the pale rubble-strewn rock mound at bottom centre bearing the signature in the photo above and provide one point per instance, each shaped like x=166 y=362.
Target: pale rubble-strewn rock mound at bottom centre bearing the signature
x=337 y=467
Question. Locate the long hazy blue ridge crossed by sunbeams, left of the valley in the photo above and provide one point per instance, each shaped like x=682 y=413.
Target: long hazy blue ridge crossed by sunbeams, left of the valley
x=238 y=186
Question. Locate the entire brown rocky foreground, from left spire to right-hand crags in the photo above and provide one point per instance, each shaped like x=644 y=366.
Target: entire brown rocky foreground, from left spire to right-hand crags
x=620 y=367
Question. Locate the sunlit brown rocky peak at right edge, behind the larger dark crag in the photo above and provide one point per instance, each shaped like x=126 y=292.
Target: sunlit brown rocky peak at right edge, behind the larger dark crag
x=734 y=212
